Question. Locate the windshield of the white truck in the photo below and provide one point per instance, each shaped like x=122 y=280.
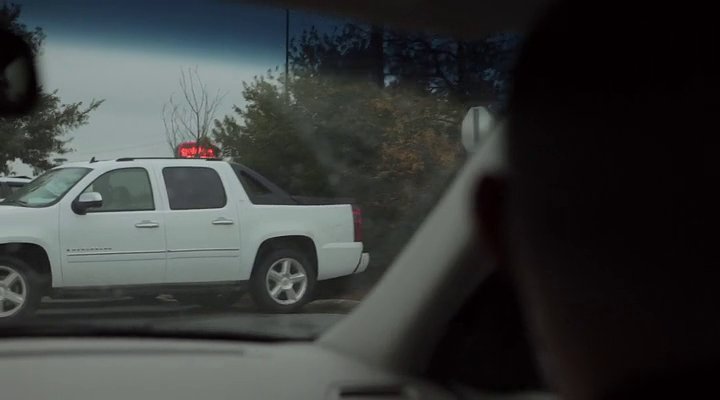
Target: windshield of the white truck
x=47 y=189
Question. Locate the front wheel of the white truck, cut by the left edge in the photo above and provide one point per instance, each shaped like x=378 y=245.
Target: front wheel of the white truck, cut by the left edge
x=26 y=283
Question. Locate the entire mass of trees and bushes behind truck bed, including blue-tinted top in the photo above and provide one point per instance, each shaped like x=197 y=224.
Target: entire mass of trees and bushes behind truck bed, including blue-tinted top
x=367 y=114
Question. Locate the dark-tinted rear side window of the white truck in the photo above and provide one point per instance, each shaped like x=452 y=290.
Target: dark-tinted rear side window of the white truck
x=193 y=188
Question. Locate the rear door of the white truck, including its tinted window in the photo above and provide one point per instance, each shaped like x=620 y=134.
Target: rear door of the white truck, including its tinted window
x=203 y=236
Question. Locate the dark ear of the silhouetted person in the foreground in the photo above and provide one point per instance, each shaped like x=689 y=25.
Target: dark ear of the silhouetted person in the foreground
x=490 y=216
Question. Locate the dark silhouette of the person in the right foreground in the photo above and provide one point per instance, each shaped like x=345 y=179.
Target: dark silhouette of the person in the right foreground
x=606 y=218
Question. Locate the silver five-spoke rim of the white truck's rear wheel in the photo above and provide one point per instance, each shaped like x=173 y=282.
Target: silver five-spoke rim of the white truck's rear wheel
x=286 y=281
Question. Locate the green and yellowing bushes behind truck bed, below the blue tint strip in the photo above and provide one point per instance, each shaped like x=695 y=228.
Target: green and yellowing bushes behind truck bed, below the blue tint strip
x=392 y=150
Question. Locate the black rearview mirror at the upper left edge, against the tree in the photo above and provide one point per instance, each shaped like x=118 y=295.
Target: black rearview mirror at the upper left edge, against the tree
x=18 y=78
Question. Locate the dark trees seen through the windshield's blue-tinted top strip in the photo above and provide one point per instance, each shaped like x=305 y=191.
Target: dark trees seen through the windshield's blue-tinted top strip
x=472 y=72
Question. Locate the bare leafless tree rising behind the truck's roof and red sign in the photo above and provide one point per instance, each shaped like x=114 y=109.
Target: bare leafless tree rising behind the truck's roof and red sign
x=191 y=117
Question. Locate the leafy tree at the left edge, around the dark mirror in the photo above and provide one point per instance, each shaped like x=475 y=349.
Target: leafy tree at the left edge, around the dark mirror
x=36 y=137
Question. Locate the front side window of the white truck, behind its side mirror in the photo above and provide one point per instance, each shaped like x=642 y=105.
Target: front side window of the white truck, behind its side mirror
x=126 y=189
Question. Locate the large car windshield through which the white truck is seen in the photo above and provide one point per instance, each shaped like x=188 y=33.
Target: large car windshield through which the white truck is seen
x=342 y=132
